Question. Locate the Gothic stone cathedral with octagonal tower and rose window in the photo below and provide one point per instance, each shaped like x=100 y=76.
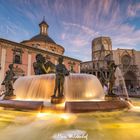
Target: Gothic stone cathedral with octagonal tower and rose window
x=128 y=60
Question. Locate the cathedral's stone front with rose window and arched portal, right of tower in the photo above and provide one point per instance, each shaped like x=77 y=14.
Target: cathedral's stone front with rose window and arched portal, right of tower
x=130 y=69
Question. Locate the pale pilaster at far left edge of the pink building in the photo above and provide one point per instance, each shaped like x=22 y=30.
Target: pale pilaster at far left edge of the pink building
x=3 y=61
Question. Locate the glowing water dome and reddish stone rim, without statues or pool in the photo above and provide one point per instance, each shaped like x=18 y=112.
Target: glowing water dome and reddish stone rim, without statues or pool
x=83 y=93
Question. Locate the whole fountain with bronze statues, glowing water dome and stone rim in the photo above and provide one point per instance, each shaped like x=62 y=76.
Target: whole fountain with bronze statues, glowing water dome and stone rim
x=79 y=92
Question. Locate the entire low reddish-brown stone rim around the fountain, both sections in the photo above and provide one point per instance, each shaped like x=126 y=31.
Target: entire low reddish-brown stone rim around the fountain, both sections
x=69 y=106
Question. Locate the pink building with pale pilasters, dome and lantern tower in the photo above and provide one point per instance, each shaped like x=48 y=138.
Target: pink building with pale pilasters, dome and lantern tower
x=23 y=54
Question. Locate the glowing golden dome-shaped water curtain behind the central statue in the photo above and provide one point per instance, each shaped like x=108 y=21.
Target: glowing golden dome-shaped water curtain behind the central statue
x=76 y=87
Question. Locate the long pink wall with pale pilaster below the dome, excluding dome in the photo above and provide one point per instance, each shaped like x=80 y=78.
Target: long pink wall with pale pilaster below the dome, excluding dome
x=29 y=56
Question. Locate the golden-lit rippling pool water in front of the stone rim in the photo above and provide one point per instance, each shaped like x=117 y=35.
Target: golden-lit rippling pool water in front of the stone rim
x=115 y=125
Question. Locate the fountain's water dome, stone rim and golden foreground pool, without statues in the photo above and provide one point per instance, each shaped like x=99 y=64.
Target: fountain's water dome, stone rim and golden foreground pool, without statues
x=83 y=93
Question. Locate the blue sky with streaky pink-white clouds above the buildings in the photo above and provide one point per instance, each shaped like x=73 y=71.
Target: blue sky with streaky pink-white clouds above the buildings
x=73 y=24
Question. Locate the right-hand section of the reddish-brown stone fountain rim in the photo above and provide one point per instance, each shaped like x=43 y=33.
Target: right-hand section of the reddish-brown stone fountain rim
x=84 y=106
